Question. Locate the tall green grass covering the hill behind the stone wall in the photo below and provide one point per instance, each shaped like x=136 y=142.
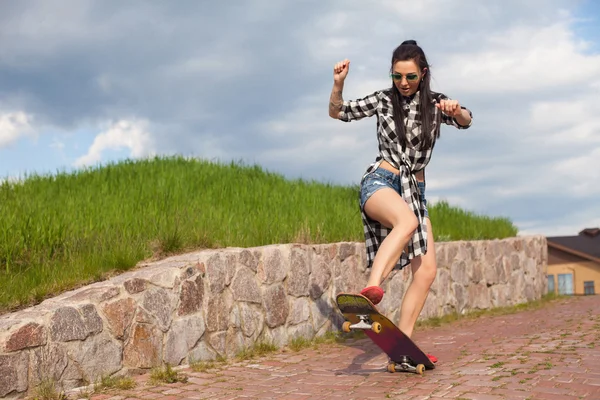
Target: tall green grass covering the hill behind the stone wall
x=64 y=230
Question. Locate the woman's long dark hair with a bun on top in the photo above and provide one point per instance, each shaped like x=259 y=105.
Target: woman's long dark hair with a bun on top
x=409 y=50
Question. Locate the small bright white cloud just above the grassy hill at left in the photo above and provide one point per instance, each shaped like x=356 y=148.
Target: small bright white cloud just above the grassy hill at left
x=124 y=134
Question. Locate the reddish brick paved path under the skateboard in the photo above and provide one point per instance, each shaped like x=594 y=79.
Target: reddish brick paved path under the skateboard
x=543 y=354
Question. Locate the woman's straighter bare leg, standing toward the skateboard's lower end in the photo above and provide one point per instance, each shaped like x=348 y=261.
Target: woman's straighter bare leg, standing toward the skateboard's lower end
x=424 y=269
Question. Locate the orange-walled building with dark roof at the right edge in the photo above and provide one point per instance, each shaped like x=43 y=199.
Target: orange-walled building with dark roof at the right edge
x=574 y=263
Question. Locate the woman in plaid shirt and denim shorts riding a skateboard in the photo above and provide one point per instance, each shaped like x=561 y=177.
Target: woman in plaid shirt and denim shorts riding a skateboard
x=392 y=199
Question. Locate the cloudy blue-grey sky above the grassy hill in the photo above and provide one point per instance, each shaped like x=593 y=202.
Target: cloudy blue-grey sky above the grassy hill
x=86 y=82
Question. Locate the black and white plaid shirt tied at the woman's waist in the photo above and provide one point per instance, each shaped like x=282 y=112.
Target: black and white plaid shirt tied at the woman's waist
x=406 y=159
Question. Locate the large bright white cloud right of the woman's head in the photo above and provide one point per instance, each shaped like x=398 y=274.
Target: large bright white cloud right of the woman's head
x=521 y=60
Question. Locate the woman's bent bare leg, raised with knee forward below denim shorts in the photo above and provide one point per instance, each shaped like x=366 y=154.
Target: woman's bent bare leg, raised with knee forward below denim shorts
x=388 y=208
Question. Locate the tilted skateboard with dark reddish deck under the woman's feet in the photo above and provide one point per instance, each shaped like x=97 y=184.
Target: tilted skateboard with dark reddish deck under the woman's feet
x=403 y=353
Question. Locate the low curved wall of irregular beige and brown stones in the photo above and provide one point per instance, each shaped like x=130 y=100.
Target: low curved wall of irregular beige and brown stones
x=215 y=302
